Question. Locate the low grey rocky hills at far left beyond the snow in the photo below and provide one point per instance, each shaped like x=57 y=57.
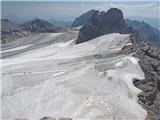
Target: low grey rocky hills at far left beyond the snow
x=10 y=31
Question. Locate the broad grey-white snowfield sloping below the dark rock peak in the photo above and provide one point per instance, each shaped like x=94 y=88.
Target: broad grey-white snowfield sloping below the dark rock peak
x=61 y=79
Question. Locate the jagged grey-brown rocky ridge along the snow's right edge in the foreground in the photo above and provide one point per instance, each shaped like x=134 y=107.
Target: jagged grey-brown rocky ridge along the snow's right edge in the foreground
x=149 y=56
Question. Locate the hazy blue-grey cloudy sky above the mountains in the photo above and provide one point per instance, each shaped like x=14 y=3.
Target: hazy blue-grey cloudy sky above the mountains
x=69 y=10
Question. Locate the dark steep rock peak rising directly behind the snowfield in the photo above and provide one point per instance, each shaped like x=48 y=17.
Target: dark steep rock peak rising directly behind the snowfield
x=101 y=23
